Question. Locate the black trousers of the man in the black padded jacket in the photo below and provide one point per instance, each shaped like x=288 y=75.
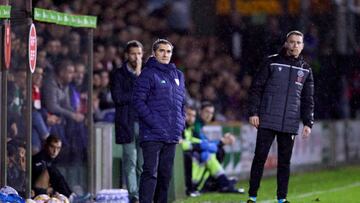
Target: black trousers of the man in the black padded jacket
x=265 y=138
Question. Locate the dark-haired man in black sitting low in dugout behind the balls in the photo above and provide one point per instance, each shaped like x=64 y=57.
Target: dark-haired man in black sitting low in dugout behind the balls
x=46 y=178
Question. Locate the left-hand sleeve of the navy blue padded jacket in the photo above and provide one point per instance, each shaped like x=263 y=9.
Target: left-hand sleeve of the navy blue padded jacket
x=142 y=89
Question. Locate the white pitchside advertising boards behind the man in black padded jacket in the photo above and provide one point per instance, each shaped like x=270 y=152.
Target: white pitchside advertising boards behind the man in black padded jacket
x=330 y=143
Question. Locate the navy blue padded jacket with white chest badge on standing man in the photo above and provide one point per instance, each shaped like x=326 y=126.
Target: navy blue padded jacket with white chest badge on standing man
x=159 y=98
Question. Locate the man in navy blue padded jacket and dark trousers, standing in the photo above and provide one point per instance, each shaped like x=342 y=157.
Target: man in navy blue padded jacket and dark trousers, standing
x=159 y=98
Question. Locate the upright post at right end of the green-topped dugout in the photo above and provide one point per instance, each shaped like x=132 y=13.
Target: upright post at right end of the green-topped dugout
x=91 y=147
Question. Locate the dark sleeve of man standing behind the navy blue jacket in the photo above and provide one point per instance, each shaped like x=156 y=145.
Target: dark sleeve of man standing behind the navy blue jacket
x=118 y=94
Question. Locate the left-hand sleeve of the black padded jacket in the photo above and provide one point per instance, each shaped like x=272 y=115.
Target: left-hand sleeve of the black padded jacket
x=257 y=89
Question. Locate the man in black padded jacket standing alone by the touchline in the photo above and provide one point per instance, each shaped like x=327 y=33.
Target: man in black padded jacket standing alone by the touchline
x=281 y=95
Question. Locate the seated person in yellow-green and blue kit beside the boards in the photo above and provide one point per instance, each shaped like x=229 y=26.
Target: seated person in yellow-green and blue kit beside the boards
x=200 y=160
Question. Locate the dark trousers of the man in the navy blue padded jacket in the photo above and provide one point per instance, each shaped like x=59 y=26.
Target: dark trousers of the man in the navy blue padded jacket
x=157 y=171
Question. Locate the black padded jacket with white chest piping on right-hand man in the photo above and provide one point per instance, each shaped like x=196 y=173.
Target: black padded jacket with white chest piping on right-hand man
x=282 y=94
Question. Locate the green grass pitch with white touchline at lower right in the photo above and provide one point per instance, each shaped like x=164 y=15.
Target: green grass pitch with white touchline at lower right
x=328 y=186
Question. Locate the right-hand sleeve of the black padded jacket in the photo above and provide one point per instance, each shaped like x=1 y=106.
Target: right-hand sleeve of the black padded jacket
x=307 y=101
